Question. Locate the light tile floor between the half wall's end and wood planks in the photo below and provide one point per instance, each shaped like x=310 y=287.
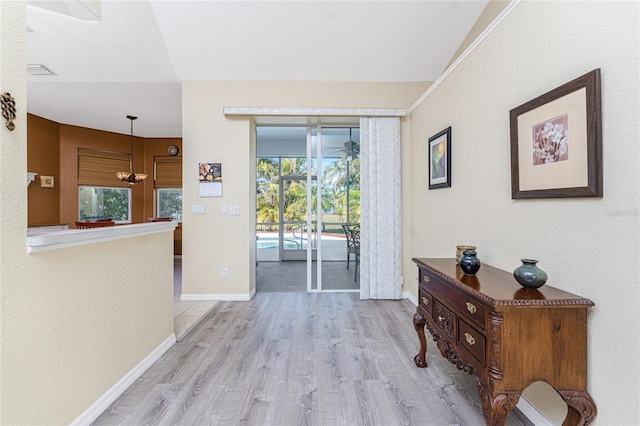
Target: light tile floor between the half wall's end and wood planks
x=187 y=314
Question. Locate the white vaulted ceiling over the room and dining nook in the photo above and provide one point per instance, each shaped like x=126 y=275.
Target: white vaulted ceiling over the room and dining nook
x=130 y=59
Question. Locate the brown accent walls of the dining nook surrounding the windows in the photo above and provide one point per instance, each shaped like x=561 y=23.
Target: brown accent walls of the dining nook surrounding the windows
x=53 y=151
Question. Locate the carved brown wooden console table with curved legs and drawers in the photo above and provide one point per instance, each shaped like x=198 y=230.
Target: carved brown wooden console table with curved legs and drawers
x=508 y=336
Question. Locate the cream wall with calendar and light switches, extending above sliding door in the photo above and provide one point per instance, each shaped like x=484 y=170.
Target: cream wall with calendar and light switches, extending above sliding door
x=213 y=241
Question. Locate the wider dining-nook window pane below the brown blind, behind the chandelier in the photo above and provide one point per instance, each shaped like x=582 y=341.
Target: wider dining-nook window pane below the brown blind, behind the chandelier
x=98 y=202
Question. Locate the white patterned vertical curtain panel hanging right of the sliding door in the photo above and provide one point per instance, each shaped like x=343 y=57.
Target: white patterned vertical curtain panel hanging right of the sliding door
x=380 y=208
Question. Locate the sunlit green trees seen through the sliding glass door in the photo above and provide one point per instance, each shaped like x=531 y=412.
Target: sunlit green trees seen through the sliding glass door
x=334 y=191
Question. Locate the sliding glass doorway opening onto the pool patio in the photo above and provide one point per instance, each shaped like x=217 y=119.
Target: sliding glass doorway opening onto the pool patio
x=300 y=238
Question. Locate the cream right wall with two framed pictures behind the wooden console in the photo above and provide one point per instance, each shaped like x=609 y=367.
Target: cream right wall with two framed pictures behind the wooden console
x=588 y=246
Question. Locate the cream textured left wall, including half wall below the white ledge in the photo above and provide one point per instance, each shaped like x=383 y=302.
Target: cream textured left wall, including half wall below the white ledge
x=75 y=320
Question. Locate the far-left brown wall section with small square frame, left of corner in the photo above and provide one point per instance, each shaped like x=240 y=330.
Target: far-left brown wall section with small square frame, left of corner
x=43 y=151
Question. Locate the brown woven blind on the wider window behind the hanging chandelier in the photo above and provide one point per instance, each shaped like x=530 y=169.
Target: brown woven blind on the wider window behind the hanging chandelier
x=98 y=168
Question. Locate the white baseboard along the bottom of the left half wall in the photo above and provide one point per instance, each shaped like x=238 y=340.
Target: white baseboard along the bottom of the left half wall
x=116 y=390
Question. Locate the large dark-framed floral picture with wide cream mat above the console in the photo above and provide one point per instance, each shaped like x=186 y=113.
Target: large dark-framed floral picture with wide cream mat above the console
x=556 y=142
